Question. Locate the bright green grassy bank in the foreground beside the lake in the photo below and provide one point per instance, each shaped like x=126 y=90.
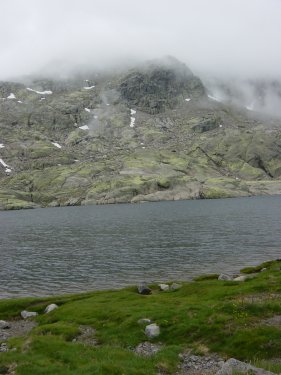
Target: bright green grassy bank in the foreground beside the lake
x=231 y=318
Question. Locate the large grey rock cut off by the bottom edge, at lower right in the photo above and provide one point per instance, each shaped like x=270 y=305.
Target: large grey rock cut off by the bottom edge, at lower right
x=233 y=366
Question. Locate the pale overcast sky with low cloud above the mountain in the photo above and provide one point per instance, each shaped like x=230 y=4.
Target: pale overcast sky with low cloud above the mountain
x=212 y=36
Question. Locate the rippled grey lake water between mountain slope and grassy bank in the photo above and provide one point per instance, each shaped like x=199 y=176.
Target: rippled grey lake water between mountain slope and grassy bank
x=64 y=250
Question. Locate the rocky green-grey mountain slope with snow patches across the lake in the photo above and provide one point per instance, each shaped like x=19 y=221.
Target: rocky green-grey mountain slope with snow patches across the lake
x=151 y=133
